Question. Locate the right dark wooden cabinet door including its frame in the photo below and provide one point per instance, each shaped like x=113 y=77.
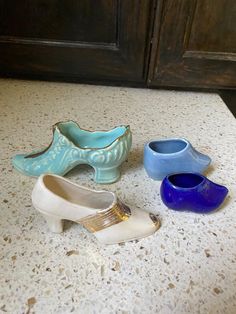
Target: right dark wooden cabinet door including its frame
x=194 y=44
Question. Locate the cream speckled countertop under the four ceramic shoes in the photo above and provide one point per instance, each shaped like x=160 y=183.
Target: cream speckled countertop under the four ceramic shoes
x=188 y=266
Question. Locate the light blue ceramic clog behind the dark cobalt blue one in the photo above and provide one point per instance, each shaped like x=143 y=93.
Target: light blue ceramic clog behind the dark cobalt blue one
x=173 y=155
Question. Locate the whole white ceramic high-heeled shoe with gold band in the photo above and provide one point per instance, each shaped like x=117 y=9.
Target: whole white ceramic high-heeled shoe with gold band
x=100 y=212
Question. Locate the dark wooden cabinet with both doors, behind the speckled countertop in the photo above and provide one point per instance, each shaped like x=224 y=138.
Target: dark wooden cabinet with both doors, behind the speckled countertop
x=167 y=43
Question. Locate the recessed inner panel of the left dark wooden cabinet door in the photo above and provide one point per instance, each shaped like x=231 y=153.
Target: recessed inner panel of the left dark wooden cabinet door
x=72 y=20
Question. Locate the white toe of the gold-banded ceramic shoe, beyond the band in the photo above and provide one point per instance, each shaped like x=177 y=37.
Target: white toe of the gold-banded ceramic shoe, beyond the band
x=139 y=225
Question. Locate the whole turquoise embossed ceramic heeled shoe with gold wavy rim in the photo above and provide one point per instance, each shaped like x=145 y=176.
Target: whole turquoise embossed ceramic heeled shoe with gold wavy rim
x=71 y=146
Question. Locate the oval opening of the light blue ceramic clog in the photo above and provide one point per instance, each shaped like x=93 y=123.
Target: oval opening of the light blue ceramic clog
x=168 y=147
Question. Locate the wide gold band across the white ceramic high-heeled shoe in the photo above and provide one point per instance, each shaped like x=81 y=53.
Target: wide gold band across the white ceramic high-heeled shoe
x=116 y=214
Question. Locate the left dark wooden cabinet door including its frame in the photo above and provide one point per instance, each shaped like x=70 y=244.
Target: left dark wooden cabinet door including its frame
x=75 y=39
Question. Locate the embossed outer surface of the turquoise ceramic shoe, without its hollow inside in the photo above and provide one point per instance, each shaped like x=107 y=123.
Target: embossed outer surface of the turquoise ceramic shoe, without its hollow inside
x=62 y=155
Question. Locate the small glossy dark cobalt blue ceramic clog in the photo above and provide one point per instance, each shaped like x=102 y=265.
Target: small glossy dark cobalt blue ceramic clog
x=193 y=192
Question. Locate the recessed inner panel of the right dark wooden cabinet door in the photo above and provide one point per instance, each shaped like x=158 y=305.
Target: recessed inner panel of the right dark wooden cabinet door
x=214 y=26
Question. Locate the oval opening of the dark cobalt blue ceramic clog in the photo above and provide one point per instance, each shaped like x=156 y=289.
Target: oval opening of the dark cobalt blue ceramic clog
x=185 y=180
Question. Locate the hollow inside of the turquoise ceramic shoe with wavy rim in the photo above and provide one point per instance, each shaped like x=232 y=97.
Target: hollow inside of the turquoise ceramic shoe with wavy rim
x=87 y=139
